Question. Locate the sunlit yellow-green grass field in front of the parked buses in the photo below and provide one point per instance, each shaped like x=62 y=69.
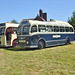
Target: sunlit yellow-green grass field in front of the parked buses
x=58 y=60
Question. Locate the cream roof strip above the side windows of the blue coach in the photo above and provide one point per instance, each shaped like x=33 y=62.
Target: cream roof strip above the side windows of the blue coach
x=53 y=23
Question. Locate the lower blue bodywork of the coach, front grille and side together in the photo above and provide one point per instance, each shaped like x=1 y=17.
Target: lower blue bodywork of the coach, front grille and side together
x=50 y=39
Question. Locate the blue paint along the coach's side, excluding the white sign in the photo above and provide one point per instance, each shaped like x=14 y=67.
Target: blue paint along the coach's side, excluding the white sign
x=52 y=41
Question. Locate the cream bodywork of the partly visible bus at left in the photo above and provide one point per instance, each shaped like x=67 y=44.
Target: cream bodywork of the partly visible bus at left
x=13 y=36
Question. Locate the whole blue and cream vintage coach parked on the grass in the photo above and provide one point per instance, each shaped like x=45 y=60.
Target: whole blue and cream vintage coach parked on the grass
x=40 y=34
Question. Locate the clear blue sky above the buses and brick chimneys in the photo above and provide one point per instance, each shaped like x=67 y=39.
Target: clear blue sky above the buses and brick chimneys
x=27 y=9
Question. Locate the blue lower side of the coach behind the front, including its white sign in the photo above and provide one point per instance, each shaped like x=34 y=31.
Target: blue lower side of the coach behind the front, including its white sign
x=51 y=39
